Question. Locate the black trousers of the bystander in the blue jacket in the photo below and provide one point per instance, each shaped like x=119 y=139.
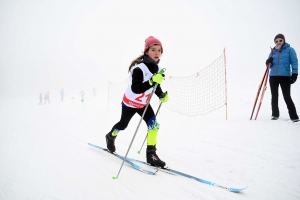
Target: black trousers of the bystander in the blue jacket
x=285 y=85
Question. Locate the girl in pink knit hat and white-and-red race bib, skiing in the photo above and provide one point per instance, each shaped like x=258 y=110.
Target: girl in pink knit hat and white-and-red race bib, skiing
x=144 y=74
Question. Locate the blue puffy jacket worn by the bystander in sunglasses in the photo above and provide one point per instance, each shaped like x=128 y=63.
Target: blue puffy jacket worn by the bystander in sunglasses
x=285 y=61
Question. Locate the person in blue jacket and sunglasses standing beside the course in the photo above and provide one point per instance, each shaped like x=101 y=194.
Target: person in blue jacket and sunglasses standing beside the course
x=284 y=71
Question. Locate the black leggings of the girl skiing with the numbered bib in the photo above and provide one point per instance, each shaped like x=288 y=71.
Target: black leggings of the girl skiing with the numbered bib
x=127 y=114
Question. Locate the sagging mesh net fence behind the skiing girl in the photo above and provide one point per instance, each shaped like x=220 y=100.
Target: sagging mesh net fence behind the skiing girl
x=198 y=94
